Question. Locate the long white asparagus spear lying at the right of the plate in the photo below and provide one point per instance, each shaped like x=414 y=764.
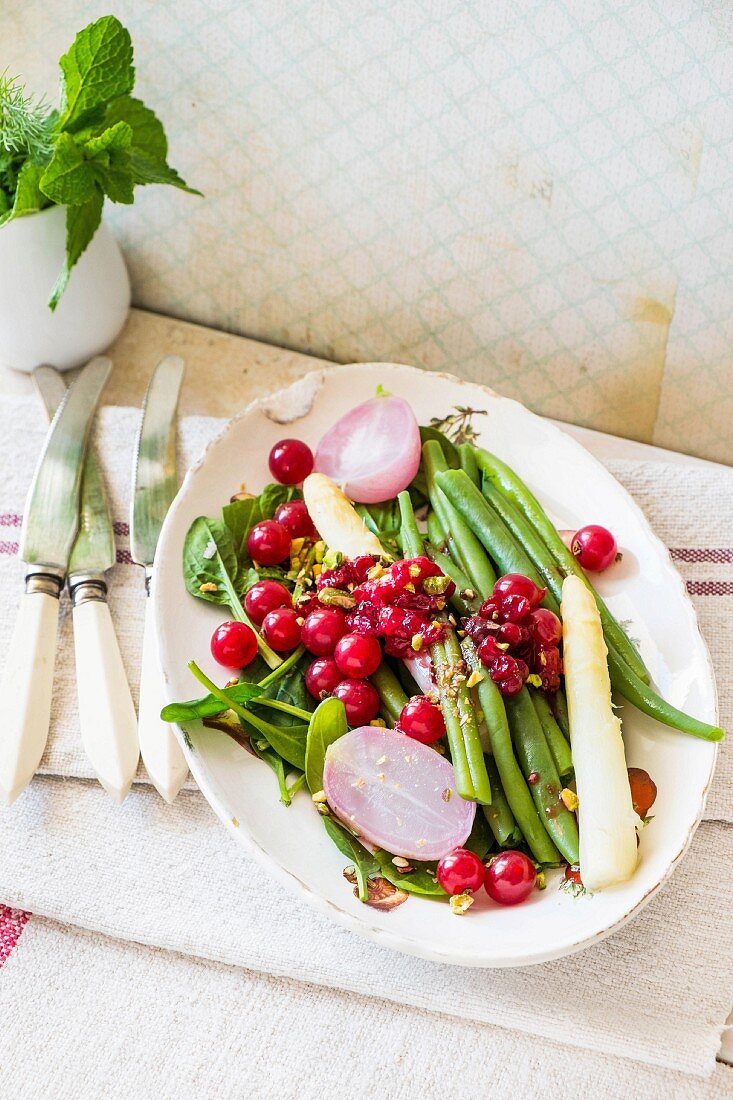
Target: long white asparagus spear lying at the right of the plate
x=606 y=816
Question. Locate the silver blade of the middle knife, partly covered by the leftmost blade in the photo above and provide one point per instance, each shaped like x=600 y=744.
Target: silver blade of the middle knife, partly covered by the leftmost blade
x=94 y=551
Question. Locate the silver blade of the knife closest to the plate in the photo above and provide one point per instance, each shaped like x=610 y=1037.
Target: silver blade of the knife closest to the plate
x=156 y=482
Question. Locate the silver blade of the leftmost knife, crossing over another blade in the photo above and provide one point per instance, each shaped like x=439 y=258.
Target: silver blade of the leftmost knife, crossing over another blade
x=52 y=510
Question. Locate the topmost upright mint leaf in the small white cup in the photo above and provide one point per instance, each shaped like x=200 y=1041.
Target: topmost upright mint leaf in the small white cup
x=99 y=68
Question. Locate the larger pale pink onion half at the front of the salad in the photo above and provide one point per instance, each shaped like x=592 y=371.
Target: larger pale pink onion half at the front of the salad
x=397 y=794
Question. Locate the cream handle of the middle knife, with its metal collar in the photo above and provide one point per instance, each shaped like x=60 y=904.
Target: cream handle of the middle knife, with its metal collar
x=107 y=714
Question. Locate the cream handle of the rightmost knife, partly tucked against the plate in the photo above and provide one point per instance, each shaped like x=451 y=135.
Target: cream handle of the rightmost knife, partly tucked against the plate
x=162 y=755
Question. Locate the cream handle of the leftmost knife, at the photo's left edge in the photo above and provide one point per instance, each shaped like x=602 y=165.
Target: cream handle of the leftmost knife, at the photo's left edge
x=27 y=686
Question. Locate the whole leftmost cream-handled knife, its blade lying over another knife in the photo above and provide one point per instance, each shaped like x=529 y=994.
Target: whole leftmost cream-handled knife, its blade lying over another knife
x=50 y=526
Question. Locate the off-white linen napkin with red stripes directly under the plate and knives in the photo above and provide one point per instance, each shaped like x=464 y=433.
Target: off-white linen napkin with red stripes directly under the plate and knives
x=170 y=876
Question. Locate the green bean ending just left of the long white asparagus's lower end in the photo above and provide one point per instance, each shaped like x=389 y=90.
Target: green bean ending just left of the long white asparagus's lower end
x=537 y=762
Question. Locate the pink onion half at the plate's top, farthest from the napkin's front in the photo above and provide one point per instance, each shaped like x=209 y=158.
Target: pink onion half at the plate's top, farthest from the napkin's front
x=374 y=452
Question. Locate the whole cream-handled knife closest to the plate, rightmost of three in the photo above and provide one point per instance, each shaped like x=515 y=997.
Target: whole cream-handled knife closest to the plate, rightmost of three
x=156 y=485
